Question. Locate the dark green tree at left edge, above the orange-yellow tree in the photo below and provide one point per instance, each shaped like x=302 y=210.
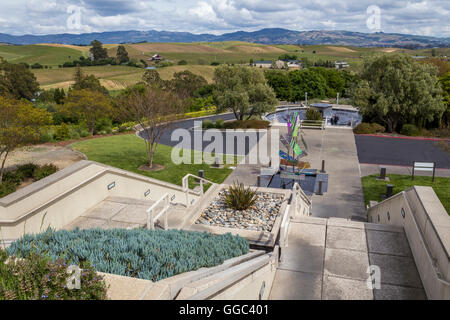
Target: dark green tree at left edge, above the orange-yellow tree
x=17 y=81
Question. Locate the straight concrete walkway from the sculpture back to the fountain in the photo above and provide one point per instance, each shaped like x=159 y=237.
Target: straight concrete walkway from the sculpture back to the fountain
x=344 y=197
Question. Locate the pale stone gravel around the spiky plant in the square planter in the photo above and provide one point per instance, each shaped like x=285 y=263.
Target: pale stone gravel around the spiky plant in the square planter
x=261 y=216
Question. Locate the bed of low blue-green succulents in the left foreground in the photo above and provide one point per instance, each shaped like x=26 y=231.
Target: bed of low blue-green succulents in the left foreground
x=141 y=253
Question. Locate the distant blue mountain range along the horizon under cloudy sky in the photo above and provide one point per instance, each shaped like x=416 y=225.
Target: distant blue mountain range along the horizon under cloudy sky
x=264 y=36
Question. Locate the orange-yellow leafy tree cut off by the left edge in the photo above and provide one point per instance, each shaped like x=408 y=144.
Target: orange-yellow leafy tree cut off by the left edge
x=20 y=124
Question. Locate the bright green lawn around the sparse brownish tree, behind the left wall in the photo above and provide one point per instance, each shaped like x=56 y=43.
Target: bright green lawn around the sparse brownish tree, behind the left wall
x=128 y=152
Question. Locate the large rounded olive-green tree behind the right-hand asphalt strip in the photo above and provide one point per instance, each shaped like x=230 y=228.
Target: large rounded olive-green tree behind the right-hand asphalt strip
x=396 y=89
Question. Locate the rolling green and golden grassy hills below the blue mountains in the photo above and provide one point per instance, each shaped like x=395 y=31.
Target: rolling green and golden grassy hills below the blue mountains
x=199 y=56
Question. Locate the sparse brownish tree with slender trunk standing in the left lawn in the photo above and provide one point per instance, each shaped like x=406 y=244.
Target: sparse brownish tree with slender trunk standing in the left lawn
x=154 y=110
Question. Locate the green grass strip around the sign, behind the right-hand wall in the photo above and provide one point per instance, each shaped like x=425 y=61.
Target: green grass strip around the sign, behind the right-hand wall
x=372 y=188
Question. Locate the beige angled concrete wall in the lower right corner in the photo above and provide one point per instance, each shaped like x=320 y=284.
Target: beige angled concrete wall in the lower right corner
x=427 y=228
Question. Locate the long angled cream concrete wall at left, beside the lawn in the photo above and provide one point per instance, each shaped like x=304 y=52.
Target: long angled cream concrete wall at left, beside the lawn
x=62 y=197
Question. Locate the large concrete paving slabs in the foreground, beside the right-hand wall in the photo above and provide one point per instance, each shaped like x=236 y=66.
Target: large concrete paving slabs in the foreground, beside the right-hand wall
x=329 y=259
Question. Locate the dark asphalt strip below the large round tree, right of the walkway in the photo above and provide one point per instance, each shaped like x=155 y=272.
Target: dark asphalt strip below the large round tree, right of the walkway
x=396 y=151
